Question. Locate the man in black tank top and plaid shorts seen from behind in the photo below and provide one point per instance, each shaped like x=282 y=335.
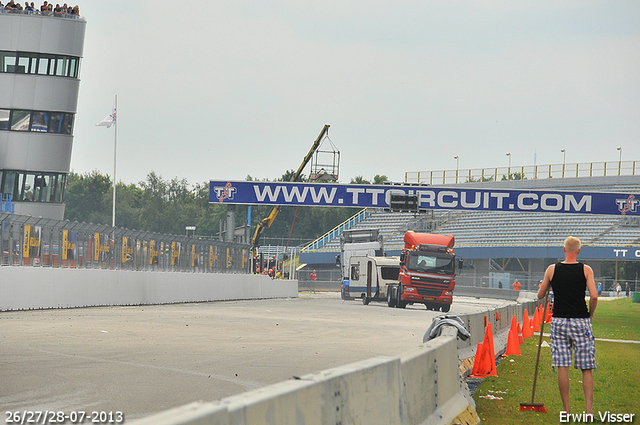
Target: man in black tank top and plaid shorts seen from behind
x=571 y=331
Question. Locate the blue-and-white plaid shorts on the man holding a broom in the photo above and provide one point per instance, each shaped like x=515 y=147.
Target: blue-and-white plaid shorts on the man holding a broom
x=576 y=335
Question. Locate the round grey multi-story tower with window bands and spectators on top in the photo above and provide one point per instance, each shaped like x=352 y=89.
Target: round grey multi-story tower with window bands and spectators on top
x=40 y=59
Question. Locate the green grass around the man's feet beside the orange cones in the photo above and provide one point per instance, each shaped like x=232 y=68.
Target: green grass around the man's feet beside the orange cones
x=616 y=386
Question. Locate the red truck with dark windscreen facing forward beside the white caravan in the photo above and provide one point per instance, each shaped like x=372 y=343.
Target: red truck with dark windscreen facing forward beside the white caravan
x=427 y=272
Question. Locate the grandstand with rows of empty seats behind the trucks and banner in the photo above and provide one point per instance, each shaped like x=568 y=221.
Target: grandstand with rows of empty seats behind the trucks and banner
x=520 y=244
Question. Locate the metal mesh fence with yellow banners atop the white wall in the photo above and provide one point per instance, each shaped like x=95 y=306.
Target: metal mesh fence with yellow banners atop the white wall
x=41 y=242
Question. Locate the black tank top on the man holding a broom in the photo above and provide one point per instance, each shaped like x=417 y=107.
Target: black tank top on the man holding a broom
x=569 y=285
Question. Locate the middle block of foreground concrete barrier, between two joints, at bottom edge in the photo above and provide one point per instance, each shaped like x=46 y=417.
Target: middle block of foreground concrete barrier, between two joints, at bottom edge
x=365 y=392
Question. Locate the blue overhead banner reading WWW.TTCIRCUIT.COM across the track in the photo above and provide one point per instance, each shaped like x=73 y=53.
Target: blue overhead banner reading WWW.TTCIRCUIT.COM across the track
x=428 y=197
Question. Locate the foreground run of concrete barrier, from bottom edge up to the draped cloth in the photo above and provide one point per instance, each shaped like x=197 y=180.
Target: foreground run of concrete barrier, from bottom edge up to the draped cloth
x=423 y=386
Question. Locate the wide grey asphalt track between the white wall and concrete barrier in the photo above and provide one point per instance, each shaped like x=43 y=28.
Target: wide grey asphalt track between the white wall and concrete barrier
x=144 y=359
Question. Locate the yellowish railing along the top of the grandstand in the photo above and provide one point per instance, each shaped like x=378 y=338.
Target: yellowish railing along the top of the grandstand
x=588 y=169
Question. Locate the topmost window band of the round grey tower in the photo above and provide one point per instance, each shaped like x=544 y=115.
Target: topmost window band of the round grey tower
x=39 y=64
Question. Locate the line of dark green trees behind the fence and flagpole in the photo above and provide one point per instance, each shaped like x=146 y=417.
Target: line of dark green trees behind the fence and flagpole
x=168 y=206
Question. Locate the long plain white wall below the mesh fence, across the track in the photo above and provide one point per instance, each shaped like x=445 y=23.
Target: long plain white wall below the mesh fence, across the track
x=23 y=288
